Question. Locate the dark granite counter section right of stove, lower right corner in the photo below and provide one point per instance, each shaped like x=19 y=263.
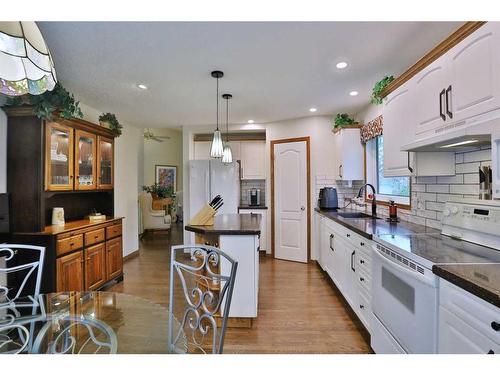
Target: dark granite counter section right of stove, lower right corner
x=482 y=280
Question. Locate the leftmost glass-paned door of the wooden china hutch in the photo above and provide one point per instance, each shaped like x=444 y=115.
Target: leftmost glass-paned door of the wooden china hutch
x=58 y=157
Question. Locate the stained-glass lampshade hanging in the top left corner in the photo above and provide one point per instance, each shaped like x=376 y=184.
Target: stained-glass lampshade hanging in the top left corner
x=26 y=66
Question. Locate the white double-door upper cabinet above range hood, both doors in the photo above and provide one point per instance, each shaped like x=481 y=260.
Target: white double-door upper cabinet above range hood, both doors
x=463 y=83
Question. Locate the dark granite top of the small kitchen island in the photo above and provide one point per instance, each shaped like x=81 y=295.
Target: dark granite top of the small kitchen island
x=230 y=224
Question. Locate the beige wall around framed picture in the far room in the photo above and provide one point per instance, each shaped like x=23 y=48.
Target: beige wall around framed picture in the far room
x=168 y=152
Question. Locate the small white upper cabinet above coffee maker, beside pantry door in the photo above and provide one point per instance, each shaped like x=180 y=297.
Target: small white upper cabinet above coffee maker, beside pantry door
x=253 y=165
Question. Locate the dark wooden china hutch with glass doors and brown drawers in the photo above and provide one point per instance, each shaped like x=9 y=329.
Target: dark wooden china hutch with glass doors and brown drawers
x=68 y=164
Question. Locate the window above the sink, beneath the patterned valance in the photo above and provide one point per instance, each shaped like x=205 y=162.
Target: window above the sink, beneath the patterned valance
x=388 y=188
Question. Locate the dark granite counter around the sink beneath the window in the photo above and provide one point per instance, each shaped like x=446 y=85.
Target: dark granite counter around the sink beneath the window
x=374 y=227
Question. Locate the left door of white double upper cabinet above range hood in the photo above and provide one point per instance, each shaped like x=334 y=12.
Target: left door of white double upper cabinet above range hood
x=429 y=95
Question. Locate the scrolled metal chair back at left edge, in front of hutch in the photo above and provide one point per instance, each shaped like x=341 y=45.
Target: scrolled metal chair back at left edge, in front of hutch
x=22 y=272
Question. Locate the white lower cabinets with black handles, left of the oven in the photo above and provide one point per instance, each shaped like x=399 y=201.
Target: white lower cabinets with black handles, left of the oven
x=346 y=258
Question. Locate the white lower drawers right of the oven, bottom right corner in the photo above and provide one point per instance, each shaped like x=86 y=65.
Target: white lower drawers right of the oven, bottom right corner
x=467 y=324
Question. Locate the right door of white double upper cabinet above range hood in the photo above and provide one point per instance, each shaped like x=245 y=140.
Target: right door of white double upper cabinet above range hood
x=474 y=82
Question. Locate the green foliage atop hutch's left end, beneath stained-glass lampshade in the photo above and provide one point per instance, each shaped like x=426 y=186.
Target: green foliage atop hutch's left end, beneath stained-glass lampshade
x=44 y=105
